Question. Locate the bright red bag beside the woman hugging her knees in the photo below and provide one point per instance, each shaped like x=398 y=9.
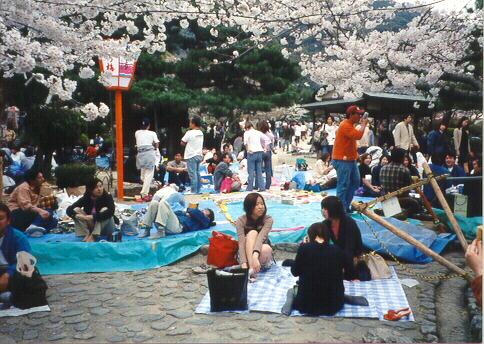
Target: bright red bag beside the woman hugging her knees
x=222 y=251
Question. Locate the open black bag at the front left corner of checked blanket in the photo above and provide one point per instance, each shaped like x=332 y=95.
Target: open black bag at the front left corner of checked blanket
x=228 y=289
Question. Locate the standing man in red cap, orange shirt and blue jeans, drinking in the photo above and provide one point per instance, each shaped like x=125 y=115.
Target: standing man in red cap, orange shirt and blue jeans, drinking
x=345 y=154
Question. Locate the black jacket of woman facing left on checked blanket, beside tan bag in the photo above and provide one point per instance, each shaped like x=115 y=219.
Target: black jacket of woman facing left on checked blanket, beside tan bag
x=349 y=240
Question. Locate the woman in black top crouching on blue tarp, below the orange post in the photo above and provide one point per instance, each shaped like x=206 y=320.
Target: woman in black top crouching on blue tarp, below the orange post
x=93 y=213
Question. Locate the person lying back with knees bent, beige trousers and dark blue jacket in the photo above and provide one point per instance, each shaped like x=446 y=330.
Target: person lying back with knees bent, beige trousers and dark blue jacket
x=167 y=211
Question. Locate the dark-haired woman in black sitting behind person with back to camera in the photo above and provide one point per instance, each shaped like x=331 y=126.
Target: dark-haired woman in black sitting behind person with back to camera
x=346 y=235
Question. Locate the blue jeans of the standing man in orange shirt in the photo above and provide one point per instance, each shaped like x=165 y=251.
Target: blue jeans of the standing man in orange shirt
x=348 y=181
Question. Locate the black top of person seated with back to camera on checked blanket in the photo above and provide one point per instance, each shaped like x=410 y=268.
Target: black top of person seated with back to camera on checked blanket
x=320 y=270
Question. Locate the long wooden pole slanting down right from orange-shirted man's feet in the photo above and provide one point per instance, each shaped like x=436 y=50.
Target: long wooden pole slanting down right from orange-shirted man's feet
x=411 y=240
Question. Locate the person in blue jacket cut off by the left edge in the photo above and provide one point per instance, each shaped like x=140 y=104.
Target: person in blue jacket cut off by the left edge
x=11 y=241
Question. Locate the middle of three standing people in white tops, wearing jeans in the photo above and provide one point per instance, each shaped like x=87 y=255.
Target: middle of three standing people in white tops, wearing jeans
x=193 y=143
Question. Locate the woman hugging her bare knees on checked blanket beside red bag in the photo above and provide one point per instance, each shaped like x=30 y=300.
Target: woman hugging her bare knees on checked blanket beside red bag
x=253 y=230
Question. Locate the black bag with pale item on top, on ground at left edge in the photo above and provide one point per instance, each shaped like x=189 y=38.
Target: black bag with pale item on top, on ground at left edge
x=26 y=285
